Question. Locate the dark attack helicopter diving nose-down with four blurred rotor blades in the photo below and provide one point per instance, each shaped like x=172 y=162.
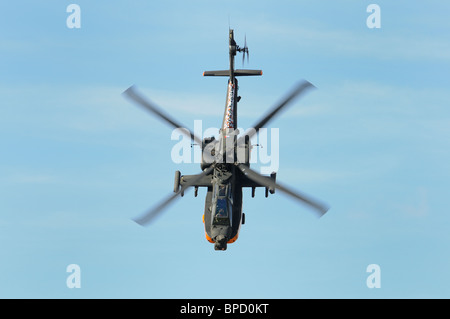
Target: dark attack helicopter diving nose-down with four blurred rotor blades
x=225 y=161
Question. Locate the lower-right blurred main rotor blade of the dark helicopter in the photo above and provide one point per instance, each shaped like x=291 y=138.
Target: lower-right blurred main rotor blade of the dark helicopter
x=268 y=182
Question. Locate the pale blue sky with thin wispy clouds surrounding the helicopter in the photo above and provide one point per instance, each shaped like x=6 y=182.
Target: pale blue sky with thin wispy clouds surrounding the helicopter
x=78 y=161
